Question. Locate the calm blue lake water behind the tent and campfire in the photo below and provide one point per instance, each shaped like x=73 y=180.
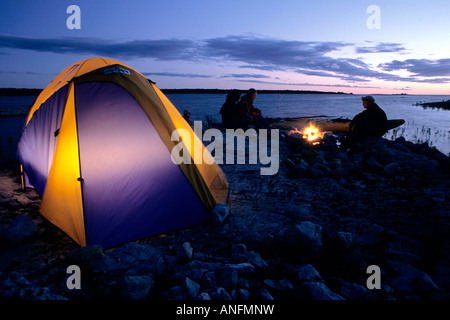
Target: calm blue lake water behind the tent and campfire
x=421 y=125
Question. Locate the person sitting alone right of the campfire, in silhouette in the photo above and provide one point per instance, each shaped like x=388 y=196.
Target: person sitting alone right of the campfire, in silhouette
x=372 y=122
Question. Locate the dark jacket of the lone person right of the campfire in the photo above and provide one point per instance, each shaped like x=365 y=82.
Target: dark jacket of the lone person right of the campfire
x=372 y=122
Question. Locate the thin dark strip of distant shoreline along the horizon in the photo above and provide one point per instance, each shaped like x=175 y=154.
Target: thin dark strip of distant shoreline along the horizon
x=36 y=92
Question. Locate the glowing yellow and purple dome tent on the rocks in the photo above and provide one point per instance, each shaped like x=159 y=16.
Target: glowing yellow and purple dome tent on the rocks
x=97 y=145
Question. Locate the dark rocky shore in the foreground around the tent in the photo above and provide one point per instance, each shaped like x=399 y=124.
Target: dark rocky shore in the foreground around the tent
x=310 y=232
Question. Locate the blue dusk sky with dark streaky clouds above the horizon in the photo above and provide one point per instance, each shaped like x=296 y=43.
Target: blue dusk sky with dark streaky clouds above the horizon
x=321 y=45
